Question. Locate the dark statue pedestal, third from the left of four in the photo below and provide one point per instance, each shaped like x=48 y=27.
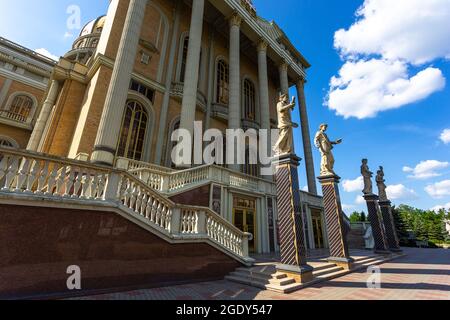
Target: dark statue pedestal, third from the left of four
x=376 y=221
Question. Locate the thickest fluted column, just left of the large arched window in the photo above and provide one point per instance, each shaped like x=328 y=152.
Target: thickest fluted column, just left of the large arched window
x=111 y=121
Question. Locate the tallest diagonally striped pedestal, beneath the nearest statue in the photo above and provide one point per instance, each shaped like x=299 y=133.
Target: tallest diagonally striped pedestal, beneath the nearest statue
x=292 y=240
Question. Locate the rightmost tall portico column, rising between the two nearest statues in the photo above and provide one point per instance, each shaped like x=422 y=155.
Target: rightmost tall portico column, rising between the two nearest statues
x=306 y=136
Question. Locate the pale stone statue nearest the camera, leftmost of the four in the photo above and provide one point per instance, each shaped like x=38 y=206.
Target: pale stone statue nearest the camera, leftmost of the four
x=285 y=141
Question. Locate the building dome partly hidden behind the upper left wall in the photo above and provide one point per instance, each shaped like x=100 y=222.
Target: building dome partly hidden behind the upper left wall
x=85 y=45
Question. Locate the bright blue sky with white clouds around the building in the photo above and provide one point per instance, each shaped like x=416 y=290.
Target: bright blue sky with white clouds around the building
x=400 y=129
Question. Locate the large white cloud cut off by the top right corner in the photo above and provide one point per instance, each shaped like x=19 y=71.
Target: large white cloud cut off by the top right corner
x=413 y=30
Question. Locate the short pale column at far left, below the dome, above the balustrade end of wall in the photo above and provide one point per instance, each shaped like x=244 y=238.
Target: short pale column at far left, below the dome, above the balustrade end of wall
x=42 y=120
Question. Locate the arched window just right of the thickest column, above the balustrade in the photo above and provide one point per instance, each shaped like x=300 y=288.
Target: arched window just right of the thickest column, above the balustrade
x=134 y=128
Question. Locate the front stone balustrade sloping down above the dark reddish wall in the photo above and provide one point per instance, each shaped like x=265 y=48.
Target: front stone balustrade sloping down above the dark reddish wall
x=44 y=176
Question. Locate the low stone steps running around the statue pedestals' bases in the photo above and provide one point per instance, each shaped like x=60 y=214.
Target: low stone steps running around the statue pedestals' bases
x=265 y=276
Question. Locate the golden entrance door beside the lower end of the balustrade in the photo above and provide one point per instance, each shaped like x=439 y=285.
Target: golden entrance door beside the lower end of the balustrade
x=244 y=218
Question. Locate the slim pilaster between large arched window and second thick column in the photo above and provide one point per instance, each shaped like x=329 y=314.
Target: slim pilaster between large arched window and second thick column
x=162 y=130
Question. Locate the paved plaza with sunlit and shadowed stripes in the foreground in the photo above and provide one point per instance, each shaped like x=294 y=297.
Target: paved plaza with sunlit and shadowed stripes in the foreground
x=423 y=274
